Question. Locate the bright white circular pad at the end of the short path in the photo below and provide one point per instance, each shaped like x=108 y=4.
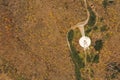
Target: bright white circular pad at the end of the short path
x=85 y=42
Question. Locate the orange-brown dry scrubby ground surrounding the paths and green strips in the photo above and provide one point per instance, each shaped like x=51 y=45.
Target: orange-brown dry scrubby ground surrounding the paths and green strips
x=33 y=38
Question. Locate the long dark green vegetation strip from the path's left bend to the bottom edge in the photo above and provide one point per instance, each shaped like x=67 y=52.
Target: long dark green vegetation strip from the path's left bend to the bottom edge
x=77 y=60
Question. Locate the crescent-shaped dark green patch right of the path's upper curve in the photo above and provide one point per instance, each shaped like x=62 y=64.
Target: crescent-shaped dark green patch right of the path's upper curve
x=92 y=19
